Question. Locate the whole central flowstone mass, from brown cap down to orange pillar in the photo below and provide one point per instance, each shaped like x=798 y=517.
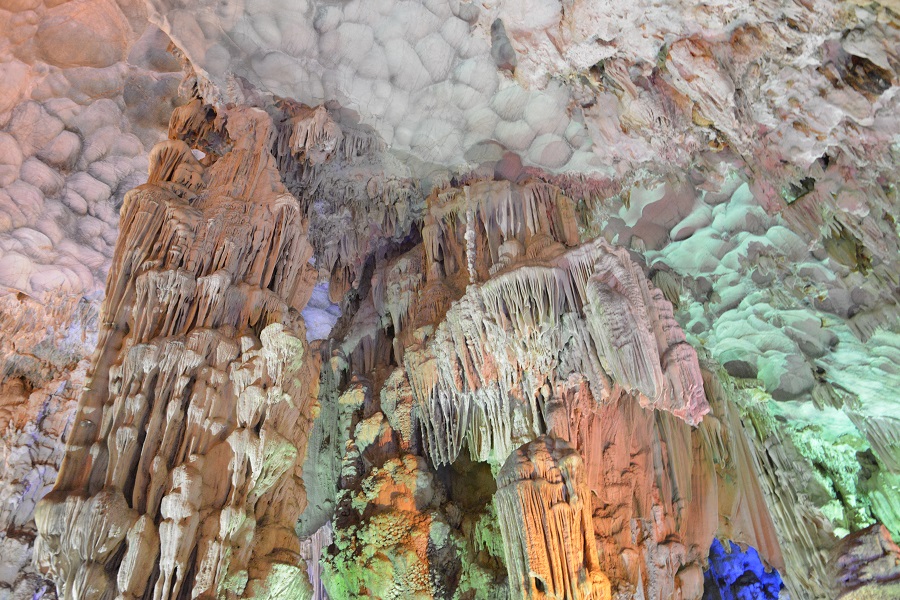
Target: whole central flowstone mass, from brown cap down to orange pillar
x=535 y=346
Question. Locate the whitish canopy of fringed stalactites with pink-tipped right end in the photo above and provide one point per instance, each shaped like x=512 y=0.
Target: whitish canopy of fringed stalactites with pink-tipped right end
x=486 y=358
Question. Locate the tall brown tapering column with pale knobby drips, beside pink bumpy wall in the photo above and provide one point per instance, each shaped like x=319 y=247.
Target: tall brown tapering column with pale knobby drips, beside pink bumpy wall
x=201 y=370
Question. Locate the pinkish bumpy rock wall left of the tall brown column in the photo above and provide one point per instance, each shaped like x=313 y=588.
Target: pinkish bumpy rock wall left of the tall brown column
x=88 y=88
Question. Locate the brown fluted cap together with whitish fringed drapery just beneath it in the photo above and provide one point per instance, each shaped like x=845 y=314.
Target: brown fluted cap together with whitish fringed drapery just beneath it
x=489 y=358
